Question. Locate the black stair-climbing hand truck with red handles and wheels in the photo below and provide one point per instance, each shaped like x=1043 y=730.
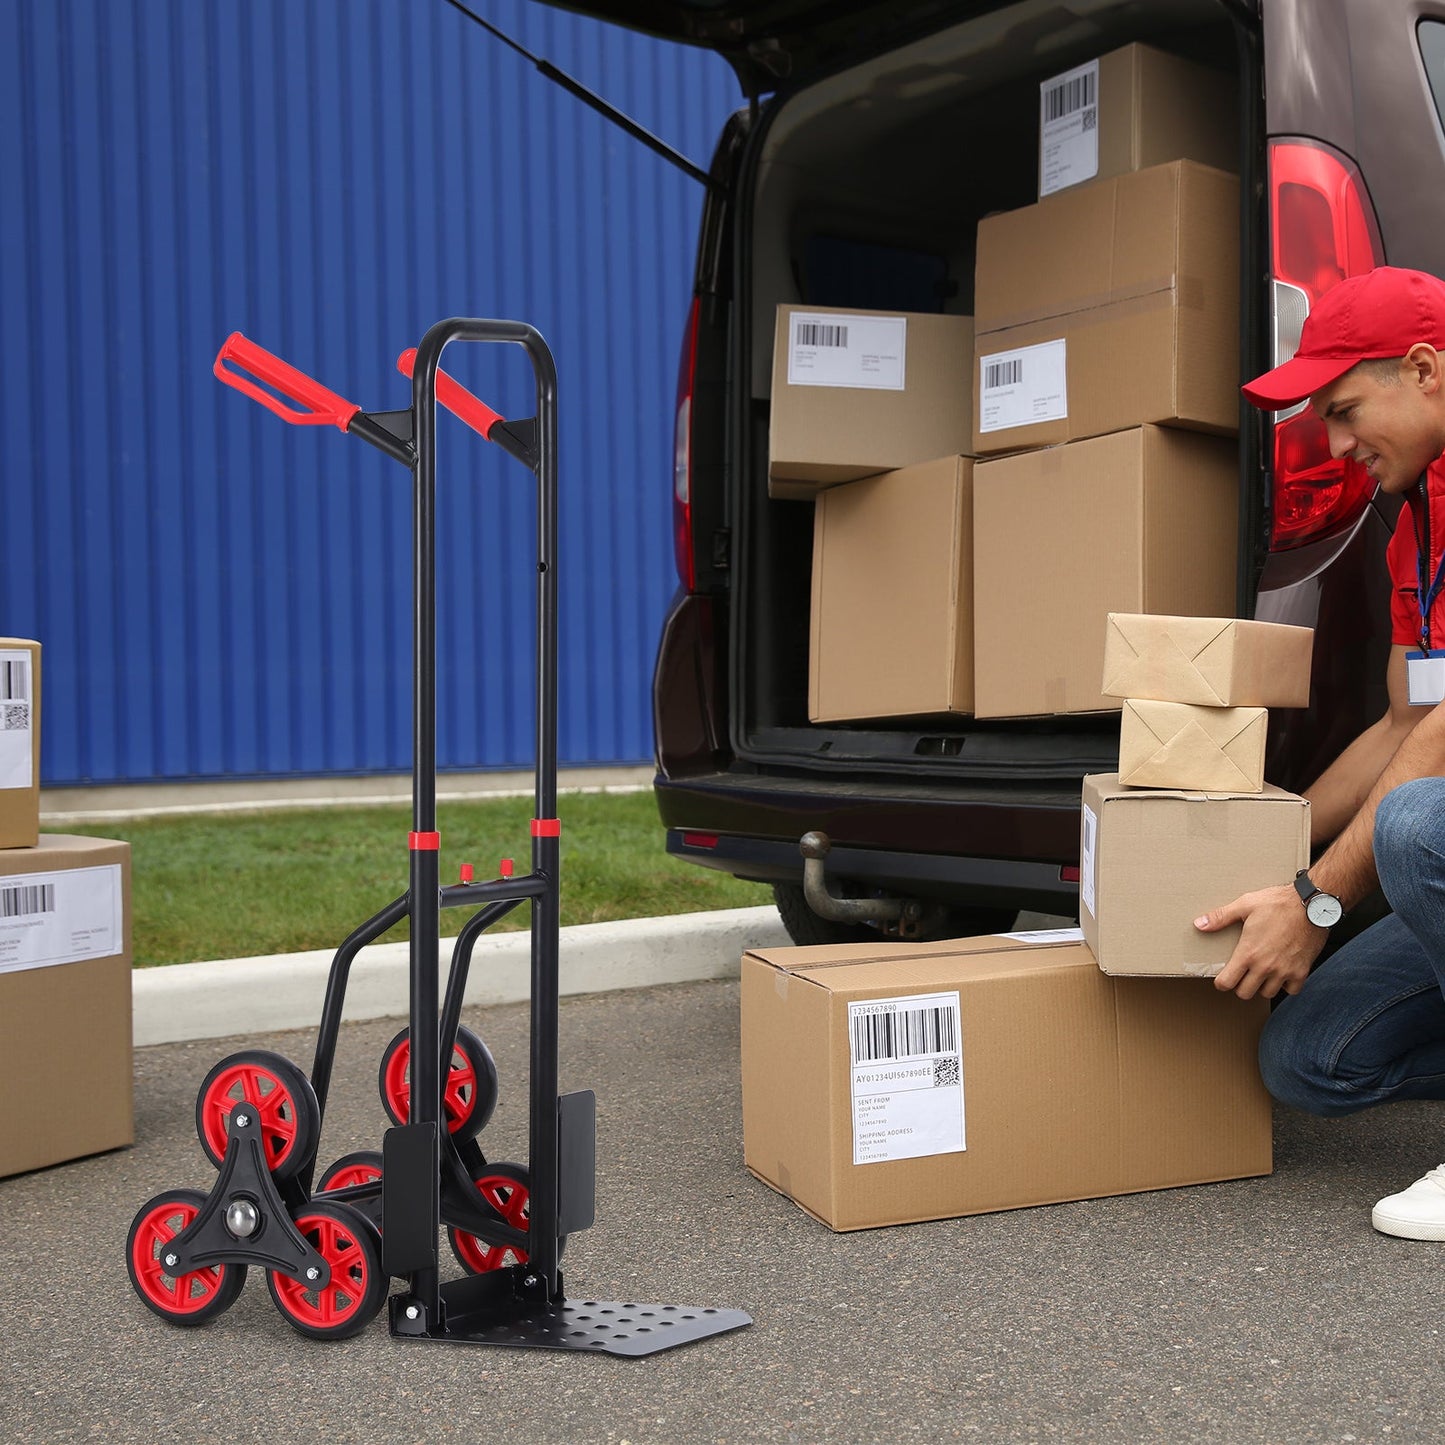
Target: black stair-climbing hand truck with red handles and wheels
x=330 y=1252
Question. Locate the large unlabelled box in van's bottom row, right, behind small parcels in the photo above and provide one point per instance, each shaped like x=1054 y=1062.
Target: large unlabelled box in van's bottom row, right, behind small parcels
x=1063 y=535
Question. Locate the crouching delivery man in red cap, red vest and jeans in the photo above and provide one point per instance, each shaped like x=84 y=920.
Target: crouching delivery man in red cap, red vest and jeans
x=1369 y=1025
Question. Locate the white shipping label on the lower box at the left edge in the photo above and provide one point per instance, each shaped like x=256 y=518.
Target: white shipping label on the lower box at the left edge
x=60 y=918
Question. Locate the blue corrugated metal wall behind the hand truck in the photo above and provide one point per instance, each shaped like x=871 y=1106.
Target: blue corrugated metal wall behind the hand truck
x=220 y=595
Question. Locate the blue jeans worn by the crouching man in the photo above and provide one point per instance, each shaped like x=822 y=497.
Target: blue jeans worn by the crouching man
x=1369 y=1025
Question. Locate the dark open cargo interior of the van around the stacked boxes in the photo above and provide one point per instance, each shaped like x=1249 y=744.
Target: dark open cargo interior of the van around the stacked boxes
x=868 y=194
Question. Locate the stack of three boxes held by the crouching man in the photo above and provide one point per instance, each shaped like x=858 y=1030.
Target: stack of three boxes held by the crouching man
x=1189 y=821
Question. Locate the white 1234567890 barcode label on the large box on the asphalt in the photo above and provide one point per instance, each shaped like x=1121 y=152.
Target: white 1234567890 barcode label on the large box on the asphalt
x=908 y=1077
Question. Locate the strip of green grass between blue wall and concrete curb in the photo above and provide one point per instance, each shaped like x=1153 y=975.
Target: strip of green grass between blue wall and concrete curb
x=233 y=885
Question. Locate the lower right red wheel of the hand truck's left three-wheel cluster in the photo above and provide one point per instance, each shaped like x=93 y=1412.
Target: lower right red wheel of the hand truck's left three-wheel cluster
x=358 y=1288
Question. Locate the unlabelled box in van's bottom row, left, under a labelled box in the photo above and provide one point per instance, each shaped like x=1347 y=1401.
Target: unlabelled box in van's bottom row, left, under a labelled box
x=892 y=596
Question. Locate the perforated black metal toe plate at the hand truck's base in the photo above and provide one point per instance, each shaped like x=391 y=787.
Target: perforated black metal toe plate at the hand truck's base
x=599 y=1326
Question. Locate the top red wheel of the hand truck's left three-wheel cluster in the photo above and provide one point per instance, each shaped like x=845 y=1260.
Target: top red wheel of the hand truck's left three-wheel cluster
x=282 y=1097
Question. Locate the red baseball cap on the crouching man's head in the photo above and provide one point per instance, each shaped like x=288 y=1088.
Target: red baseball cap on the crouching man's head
x=1381 y=314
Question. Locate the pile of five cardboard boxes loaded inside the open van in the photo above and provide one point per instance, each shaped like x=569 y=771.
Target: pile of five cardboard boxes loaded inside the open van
x=1096 y=385
